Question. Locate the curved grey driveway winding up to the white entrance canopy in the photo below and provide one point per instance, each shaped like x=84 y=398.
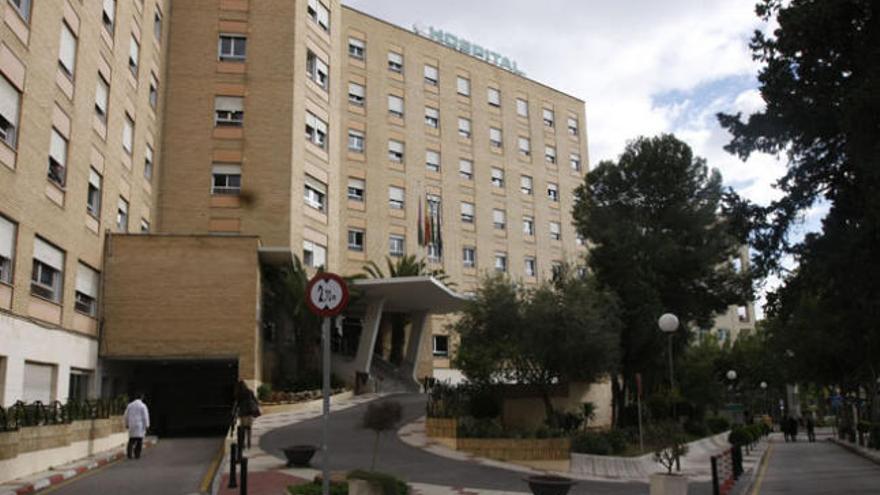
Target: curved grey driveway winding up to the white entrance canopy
x=351 y=448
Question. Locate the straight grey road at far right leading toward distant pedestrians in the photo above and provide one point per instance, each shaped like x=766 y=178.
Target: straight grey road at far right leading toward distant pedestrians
x=816 y=468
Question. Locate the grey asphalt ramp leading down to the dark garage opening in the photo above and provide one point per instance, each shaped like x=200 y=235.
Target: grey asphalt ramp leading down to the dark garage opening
x=174 y=466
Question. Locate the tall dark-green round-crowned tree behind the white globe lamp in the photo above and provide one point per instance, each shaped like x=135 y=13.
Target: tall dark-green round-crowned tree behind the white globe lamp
x=663 y=234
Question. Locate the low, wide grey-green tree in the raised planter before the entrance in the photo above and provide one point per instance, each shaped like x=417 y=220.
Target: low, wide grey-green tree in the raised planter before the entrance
x=563 y=330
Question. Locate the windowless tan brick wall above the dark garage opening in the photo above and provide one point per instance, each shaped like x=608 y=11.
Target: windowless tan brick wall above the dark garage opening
x=183 y=296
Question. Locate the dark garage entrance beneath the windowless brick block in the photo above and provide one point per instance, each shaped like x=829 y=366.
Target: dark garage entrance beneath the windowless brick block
x=185 y=397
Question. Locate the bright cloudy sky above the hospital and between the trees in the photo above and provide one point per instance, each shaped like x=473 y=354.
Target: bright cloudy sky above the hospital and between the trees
x=643 y=67
